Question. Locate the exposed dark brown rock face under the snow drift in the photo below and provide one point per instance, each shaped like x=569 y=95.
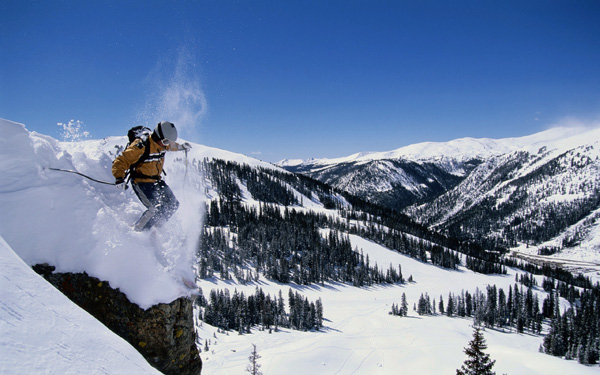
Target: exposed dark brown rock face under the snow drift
x=164 y=334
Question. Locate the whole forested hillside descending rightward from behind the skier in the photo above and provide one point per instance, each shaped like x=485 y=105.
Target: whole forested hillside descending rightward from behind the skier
x=293 y=228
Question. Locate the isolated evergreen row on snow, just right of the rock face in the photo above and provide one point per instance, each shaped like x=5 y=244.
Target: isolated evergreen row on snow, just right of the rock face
x=241 y=313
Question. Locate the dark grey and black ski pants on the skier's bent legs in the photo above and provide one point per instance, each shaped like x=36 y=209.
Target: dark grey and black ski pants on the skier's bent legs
x=159 y=200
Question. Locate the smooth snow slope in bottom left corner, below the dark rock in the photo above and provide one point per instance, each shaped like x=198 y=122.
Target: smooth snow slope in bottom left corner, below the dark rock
x=43 y=332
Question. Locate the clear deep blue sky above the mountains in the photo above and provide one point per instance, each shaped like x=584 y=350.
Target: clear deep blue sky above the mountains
x=301 y=78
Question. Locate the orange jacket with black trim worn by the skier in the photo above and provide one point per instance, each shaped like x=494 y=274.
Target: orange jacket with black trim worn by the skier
x=150 y=170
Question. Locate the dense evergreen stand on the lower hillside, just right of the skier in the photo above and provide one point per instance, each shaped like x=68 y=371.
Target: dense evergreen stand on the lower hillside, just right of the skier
x=284 y=244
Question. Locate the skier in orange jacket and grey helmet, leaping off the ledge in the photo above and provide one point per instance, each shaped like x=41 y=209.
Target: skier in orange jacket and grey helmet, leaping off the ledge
x=144 y=158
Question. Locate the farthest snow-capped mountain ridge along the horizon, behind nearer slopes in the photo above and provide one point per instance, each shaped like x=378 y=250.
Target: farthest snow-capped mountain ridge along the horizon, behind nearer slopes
x=423 y=171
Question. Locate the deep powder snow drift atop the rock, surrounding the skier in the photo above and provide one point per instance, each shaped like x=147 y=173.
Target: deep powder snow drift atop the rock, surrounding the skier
x=78 y=225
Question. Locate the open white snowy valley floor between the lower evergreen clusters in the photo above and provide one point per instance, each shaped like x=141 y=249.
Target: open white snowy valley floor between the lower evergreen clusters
x=360 y=337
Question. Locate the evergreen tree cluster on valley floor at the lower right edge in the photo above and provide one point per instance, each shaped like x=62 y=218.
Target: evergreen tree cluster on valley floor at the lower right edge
x=575 y=334
